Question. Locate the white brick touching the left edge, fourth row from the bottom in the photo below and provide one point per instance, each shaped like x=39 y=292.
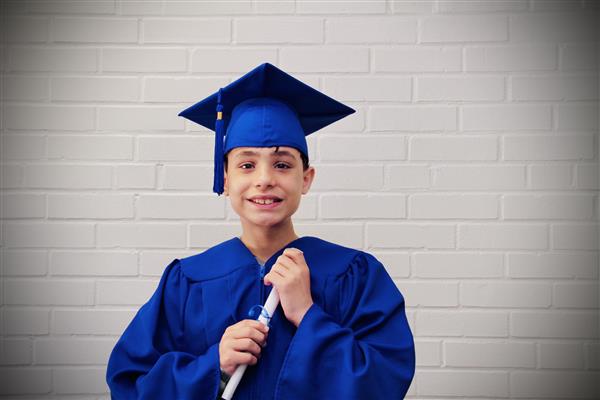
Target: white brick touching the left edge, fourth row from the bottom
x=49 y=292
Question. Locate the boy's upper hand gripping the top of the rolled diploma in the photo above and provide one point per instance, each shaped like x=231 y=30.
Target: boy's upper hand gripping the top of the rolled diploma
x=290 y=276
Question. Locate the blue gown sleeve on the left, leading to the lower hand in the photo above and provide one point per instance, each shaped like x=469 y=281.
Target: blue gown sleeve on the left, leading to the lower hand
x=147 y=361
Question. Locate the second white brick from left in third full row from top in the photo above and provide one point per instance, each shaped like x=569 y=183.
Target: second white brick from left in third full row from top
x=89 y=88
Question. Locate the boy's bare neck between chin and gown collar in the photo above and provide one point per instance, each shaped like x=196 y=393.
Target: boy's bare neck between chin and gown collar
x=263 y=243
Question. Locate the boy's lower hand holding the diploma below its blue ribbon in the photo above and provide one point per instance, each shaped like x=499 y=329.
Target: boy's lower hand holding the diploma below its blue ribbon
x=241 y=343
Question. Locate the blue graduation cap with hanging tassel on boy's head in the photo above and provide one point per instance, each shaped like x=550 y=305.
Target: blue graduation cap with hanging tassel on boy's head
x=264 y=108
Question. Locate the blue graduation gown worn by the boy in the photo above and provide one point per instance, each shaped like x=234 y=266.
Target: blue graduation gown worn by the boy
x=353 y=343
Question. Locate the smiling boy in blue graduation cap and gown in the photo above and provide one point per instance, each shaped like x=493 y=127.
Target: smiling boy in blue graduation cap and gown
x=340 y=330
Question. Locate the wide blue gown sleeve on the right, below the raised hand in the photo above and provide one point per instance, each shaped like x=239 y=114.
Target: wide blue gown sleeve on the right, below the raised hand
x=366 y=351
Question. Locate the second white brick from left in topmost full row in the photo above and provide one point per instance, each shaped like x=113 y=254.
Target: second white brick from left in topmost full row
x=90 y=30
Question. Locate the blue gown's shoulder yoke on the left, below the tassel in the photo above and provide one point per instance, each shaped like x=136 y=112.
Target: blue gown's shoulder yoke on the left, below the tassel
x=216 y=261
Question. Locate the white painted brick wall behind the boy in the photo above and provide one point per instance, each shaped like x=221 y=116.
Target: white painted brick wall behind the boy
x=470 y=169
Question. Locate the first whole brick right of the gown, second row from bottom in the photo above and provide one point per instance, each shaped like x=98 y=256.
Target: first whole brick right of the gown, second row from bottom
x=490 y=354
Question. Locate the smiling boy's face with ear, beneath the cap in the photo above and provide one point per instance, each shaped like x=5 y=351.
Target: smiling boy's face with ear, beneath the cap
x=274 y=178
